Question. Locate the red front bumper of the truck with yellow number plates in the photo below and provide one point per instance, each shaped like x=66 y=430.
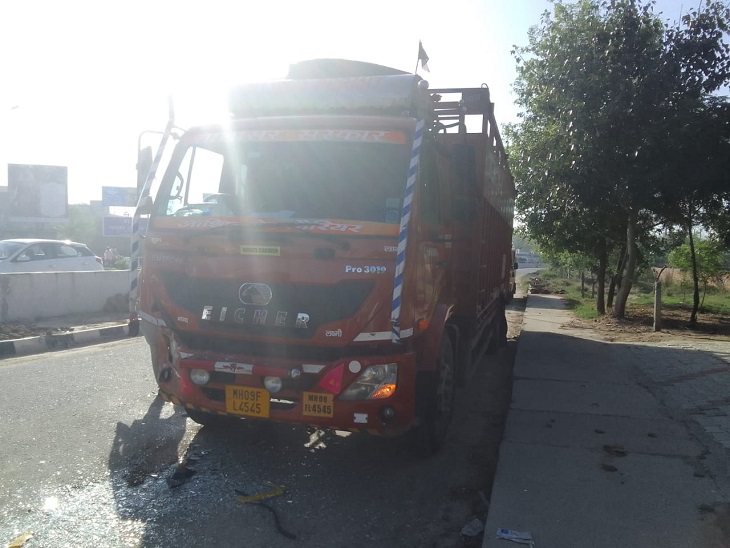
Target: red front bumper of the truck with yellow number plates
x=311 y=391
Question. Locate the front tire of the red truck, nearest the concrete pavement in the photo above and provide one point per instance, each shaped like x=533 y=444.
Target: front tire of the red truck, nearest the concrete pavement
x=438 y=407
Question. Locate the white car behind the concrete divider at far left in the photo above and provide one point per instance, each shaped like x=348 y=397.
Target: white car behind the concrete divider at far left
x=27 y=255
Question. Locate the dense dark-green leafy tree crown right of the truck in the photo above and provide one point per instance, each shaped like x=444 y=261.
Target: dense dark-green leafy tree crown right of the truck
x=615 y=107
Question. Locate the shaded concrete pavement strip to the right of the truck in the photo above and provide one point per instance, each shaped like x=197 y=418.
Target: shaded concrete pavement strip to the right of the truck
x=610 y=444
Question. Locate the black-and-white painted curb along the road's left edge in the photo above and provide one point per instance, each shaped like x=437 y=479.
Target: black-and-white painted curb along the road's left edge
x=61 y=341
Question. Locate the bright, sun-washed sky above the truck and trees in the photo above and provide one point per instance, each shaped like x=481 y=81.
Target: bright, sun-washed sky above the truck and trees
x=81 y=79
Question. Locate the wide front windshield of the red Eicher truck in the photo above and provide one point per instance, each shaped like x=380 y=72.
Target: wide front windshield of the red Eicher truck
x=296 y=177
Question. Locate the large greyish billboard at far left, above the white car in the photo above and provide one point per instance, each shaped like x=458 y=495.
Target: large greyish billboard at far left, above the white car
x=37 y=194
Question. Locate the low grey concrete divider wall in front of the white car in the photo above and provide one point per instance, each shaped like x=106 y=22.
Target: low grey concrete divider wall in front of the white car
x=36 y=295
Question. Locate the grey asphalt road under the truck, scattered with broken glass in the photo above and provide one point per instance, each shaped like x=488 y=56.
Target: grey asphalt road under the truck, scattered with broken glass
x=89 y=457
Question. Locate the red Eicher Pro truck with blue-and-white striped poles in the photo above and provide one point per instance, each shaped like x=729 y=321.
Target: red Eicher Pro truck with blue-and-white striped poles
x=338 y=254
